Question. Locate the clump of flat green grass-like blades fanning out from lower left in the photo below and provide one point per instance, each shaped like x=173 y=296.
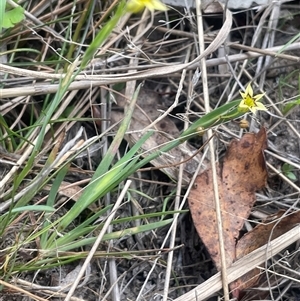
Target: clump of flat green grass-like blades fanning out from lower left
x=58 y=235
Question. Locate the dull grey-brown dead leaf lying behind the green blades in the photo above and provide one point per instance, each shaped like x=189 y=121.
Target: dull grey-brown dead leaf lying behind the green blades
x=147 y=111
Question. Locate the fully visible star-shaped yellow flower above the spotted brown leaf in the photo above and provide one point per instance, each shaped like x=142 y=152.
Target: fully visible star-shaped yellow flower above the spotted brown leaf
x=250 y=102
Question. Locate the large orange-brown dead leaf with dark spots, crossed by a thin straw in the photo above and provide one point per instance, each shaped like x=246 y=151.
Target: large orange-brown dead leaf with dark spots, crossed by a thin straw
x=242 y=173
